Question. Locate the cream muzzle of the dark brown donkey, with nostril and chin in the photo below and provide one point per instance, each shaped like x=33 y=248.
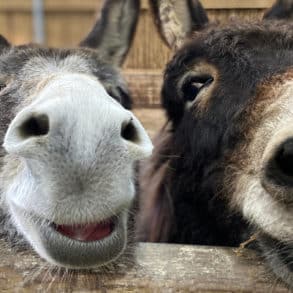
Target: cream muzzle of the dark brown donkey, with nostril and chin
x=264 y=191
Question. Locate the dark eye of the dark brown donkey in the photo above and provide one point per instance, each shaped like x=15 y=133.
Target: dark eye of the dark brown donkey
x=193 y=85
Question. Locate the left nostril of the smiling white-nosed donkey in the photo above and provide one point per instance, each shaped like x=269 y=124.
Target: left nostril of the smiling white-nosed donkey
x=36 y=125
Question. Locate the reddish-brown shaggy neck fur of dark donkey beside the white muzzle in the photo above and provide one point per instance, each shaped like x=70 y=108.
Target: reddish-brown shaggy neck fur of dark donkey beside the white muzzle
x=157 y=204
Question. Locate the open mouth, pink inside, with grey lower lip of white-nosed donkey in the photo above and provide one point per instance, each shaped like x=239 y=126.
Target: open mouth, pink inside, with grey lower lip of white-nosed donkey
x=74 y=246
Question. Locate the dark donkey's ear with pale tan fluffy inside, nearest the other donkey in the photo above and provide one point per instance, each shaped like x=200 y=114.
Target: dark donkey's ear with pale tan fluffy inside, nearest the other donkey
x=177 y=19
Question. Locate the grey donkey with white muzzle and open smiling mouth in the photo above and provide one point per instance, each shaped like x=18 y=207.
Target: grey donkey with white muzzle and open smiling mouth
x=70 y=145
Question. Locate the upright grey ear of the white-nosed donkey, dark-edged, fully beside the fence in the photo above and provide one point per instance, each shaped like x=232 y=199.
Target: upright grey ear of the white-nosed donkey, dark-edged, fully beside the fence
x=114 y=30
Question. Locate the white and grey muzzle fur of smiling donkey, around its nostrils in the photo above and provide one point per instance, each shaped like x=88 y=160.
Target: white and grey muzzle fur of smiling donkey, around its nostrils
x=82 y=170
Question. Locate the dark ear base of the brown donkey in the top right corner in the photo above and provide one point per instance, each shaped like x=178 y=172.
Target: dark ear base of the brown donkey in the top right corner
x=282 y=9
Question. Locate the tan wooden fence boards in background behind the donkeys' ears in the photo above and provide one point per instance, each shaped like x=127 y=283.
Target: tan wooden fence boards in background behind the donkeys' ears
x=67 y=21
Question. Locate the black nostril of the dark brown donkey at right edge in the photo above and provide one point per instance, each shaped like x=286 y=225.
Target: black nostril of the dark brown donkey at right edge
x=284 y=159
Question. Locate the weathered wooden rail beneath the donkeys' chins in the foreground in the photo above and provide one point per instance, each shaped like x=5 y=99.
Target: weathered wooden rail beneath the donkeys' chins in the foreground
x=159 y=268
